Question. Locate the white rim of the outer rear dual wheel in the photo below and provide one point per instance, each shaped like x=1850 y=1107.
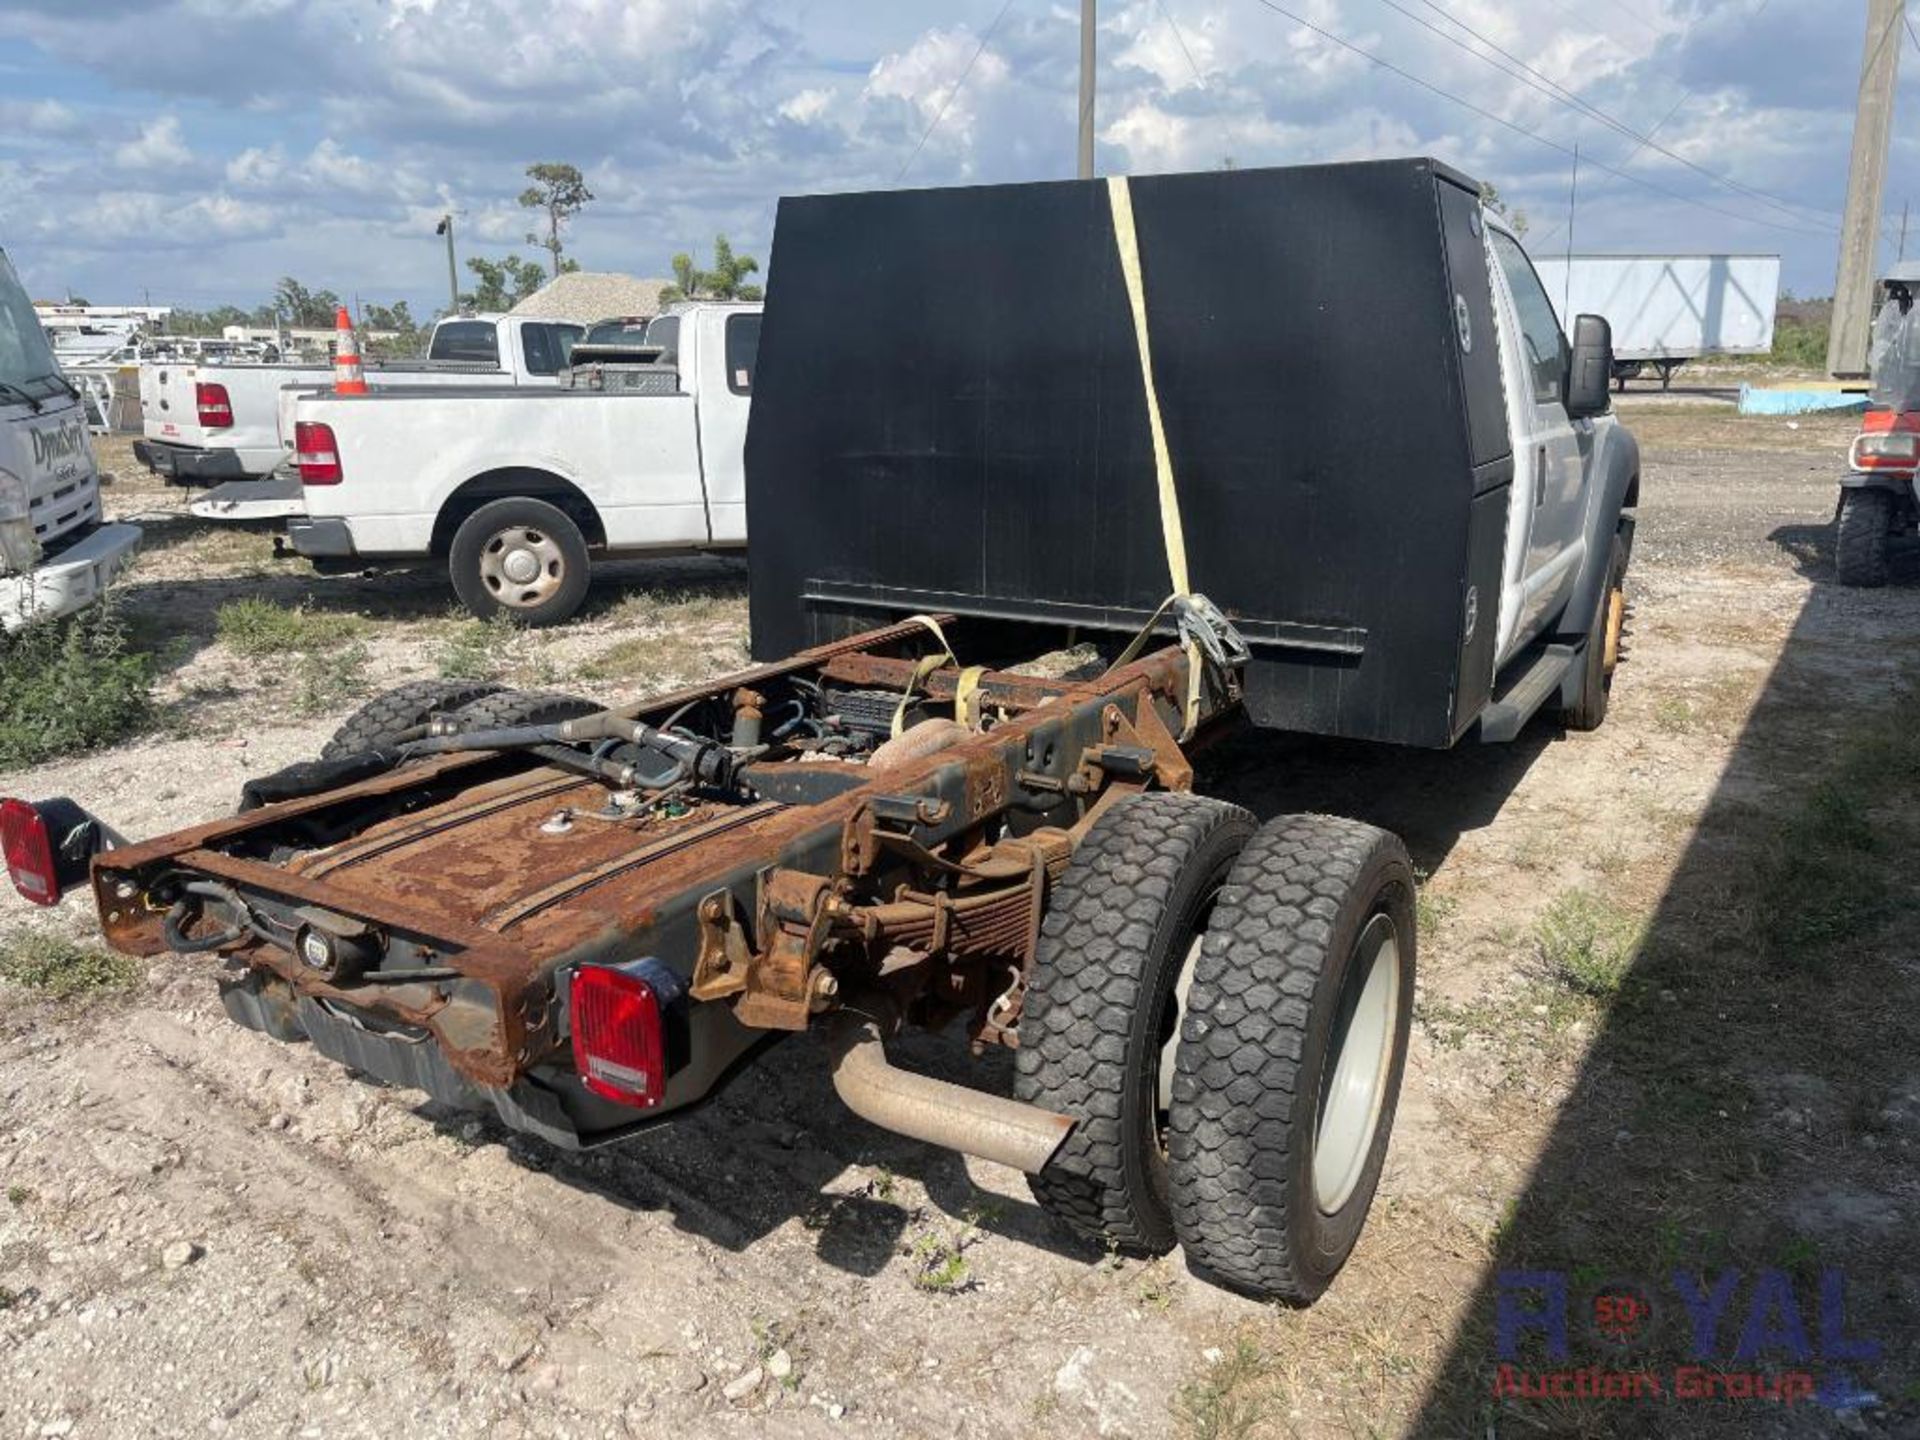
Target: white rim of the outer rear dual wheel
x=1360 y=1059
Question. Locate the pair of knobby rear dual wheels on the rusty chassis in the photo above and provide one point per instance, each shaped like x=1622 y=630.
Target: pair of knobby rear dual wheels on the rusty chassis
x=1226 y=1007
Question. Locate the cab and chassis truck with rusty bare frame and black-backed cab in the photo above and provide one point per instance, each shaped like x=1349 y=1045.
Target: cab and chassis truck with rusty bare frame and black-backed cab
x=585 y=921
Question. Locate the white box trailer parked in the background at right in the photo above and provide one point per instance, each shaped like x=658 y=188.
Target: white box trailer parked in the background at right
x=1668 y=310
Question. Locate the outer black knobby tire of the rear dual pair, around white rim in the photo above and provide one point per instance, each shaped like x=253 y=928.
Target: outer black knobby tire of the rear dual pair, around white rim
x=1260 y=1045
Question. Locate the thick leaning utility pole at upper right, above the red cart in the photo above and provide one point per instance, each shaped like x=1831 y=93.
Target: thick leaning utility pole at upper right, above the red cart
x=1860 y=231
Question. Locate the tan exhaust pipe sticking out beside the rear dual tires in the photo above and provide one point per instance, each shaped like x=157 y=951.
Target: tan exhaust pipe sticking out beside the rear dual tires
x=924 y=1109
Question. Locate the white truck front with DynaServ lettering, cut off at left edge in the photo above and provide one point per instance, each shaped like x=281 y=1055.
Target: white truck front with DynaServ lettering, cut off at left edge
x=55 y=552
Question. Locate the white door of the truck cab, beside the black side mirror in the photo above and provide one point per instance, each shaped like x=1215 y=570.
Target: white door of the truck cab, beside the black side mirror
x=1550 y=454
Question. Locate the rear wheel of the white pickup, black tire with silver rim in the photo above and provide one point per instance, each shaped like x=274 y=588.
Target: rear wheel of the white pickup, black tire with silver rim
x=485 y=556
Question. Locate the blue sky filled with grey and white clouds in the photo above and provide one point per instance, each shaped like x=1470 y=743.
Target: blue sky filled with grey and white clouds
x=201 y=149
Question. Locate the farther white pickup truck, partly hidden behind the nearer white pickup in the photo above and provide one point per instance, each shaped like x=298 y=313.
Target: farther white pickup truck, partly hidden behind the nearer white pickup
x=210 y=423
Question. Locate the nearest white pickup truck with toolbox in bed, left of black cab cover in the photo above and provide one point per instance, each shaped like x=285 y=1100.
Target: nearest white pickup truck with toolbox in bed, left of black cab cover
x=514 y=491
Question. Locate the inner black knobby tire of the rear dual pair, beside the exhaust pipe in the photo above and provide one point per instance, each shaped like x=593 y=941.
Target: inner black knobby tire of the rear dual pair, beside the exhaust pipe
x=1115 y=942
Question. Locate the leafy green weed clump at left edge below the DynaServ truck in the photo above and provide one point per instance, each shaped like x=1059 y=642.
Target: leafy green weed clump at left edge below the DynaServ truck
x=72 y=686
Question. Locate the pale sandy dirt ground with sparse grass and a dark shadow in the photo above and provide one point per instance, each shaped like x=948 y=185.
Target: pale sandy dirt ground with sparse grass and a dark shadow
x=1664 y=1026
